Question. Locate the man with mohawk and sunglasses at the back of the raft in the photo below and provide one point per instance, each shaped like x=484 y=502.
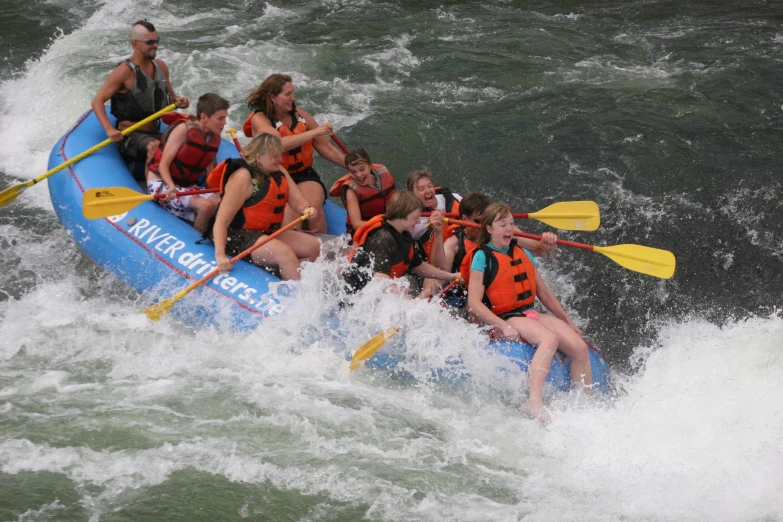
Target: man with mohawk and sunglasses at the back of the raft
x=138 y=87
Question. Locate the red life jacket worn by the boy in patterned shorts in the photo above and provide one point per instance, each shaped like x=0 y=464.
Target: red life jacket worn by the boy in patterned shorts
x=193 y=157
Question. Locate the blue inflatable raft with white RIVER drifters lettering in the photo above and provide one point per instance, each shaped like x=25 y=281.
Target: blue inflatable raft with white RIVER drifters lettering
x=154 y=252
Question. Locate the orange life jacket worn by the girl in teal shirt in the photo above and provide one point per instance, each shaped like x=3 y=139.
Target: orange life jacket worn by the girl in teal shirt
x=509 y=280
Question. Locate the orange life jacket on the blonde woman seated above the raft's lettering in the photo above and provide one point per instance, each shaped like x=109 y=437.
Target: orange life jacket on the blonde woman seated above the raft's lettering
x=264 y=209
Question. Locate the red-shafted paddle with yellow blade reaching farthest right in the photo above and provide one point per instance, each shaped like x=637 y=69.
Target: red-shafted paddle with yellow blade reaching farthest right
x=642 y=259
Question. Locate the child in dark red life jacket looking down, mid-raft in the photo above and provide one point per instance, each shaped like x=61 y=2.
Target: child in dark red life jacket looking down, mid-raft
x=365 y=190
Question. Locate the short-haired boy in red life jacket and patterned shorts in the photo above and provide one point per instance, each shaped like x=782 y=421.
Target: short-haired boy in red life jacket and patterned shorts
x=187 y=152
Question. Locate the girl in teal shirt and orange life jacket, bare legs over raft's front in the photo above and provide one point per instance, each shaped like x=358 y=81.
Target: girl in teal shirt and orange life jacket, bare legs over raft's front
x=503 y=285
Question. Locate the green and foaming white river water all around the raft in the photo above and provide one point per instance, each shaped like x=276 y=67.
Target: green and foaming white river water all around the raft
x=668 y=114
